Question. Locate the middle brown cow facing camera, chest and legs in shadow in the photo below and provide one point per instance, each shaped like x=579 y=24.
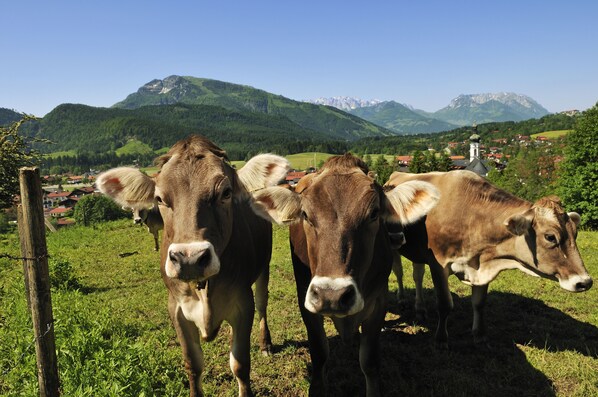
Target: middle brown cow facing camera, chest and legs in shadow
x=341 y=253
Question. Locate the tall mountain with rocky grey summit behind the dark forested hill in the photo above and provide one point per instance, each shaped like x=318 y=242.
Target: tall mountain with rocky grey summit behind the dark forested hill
x=328 y=122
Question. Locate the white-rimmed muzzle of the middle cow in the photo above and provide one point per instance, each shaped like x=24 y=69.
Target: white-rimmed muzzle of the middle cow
x=333 y=296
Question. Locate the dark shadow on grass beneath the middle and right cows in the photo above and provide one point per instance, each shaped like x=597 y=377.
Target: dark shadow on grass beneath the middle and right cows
x=411 y=366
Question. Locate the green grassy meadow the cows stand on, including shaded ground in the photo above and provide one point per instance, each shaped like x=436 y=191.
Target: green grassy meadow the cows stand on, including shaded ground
x=114 y=337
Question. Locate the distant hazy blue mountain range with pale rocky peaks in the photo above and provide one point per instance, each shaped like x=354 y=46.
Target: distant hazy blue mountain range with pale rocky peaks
x=463 y=110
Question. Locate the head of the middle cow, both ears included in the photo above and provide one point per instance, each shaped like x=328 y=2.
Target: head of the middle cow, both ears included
x=341 y=210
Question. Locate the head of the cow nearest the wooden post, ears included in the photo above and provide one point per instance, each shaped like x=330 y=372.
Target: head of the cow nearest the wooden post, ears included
x=196 y=190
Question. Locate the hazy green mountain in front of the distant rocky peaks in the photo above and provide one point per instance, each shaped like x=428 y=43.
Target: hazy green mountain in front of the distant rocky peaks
x=400 y=119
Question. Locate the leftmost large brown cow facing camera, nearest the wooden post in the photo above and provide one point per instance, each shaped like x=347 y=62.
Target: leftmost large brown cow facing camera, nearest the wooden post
x=214 y=247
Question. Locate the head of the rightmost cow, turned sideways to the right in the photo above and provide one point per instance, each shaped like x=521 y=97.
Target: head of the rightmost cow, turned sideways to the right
x=546 y=241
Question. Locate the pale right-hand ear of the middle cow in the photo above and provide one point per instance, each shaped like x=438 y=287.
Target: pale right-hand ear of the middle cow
x=409 y=201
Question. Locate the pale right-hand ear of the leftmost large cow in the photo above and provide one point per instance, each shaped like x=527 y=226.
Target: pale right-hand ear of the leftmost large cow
x=262 y=171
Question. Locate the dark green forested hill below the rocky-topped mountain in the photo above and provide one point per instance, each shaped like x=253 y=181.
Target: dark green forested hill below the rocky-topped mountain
x=97 y=130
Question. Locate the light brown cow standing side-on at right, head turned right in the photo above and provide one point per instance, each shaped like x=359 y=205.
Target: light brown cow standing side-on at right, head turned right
x=477 y=230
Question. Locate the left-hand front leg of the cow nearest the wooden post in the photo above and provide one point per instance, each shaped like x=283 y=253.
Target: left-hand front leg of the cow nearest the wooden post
x=188 y=336
